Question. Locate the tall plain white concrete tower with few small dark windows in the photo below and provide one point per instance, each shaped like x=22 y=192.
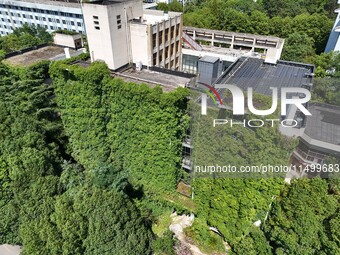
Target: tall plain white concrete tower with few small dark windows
x=108 y=35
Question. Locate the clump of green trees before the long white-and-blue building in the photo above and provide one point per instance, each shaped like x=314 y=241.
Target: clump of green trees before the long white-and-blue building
x=24 y=37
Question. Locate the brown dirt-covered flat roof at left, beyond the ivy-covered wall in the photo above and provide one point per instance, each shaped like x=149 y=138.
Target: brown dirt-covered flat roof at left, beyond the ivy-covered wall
x=35 y=56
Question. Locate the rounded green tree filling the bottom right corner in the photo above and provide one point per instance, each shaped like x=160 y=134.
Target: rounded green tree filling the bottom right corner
x=303 y=219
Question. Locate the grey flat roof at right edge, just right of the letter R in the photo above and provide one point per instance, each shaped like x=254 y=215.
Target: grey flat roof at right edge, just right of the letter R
x=324 y=123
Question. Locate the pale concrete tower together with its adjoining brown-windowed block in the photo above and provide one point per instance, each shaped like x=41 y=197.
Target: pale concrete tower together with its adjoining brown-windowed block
x=120 y=33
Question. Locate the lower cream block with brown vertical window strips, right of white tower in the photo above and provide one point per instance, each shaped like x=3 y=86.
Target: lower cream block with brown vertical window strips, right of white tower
x=160 y=35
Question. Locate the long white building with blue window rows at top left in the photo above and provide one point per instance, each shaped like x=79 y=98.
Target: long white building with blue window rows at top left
x=52 y=15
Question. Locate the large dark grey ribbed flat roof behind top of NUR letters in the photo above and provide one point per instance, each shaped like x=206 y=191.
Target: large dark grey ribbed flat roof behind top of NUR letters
x=253 y=72
